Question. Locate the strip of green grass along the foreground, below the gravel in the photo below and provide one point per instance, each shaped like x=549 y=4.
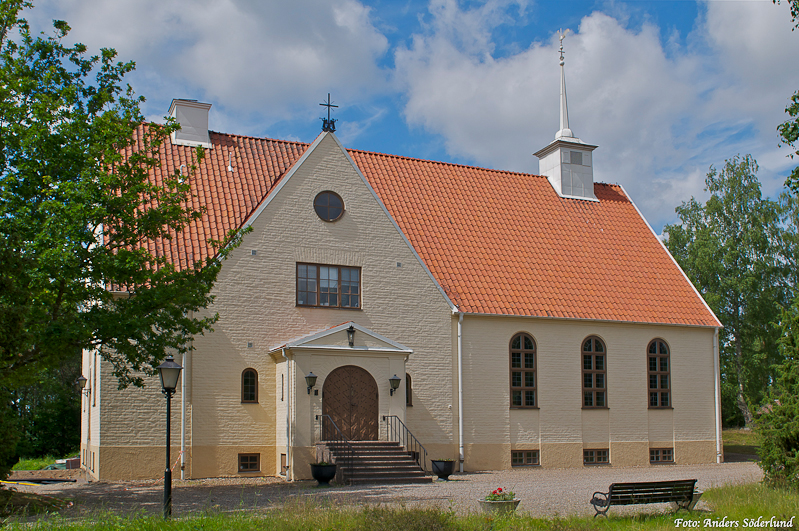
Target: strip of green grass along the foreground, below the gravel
x=742 y=504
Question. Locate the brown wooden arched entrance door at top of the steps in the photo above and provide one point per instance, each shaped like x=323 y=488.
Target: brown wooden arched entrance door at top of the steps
x=349 y=396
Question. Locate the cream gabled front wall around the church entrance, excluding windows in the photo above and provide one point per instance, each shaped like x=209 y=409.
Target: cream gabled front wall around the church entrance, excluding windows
x=255 y=297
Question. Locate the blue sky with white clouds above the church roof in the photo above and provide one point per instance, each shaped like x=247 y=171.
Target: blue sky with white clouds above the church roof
x=664 y=88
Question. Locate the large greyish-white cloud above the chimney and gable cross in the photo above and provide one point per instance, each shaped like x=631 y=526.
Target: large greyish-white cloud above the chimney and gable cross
x=258 y=60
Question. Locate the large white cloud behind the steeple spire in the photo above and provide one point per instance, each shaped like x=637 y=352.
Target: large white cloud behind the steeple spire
x=660 y=116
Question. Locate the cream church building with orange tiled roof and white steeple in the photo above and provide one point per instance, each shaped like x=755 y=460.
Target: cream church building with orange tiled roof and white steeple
x=495 y=318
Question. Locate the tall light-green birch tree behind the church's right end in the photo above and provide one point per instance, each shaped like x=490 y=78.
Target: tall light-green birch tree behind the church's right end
x=731 y=249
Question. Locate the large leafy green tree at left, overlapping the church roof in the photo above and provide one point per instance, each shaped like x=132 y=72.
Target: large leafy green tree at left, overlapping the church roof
x=77 y=211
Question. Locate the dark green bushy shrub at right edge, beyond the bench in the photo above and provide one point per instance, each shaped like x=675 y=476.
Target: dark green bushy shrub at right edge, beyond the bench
x=778 y=425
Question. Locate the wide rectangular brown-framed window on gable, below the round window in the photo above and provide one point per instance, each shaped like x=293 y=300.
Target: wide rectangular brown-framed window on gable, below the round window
x=328 y=286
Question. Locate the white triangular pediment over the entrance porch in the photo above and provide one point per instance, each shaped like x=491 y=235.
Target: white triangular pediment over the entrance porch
x=336 y=339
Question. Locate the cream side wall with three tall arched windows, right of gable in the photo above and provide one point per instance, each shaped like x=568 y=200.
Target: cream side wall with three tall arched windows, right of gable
x=561 y=428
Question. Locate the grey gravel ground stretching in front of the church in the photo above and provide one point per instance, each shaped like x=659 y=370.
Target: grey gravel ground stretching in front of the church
x=543 y=492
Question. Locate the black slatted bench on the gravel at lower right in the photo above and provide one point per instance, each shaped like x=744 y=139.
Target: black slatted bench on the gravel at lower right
x=680 y=492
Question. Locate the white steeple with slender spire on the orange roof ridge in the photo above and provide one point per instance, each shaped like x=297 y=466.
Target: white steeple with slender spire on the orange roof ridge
x=567 y=161
